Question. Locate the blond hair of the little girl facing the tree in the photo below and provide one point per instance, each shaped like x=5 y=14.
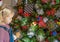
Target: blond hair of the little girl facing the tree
x=5 y=12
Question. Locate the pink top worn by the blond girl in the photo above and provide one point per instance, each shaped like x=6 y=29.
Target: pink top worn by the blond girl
x=4 y=35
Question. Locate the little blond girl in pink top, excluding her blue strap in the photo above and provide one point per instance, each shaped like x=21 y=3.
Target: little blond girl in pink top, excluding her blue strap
x=5 y=18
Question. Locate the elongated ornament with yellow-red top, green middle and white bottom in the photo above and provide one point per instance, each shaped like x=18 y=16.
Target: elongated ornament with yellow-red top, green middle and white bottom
x=32 y=29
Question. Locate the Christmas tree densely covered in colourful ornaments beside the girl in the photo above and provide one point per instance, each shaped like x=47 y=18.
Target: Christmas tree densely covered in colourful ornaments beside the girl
x=37 y=21
